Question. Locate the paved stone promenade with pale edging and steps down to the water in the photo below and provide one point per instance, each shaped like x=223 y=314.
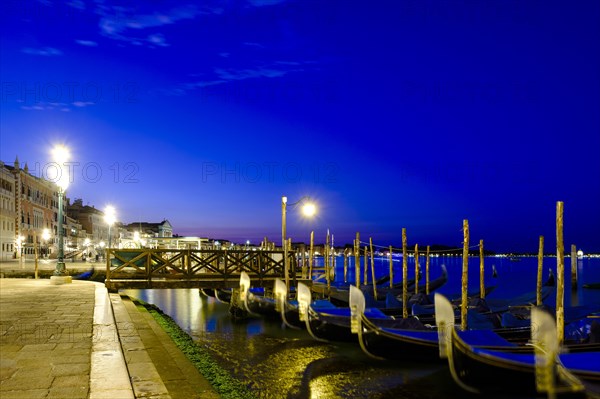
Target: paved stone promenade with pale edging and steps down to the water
x=63 y=341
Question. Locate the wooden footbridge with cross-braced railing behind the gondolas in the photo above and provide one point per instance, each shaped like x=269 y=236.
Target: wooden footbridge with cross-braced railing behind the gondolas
x=188 y=268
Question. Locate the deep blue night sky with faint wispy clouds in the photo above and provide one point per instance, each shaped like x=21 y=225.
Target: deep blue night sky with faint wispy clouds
x=390 y=114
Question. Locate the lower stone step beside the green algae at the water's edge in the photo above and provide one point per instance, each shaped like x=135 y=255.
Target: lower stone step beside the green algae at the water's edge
x=177 y=373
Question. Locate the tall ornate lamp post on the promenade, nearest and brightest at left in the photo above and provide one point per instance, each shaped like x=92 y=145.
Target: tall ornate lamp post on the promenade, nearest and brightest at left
x=61 y=155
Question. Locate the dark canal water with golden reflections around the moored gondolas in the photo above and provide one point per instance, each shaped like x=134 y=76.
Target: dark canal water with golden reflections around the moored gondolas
x=278 y=362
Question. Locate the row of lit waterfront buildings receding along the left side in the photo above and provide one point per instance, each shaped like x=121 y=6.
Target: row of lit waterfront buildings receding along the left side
x=29 y=221
